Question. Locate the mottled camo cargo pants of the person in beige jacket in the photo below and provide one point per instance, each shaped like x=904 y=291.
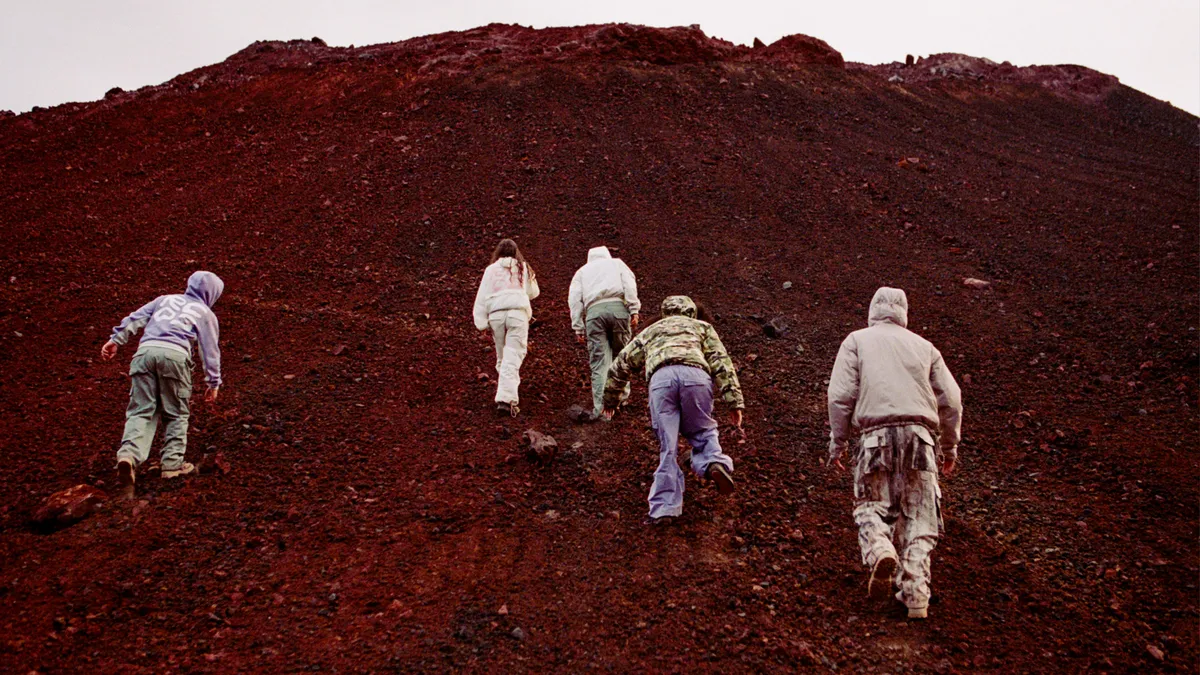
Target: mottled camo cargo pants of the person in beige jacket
x=897 y=497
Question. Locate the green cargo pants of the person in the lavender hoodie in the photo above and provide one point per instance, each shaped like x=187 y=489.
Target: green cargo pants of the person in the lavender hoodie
x=161 y=387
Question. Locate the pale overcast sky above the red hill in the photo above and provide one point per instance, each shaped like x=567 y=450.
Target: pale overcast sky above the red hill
x=59 y=51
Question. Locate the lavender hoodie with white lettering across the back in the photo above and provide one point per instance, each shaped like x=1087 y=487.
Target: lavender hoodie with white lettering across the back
x=181 y=321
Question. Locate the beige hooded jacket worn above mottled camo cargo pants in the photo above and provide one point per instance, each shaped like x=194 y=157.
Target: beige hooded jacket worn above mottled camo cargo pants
x=886 y=375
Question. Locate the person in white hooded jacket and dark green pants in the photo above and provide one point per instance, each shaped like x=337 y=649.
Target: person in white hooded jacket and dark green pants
x=604 y=308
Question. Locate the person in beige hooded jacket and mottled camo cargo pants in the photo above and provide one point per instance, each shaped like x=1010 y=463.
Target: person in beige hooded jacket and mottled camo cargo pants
x=896 y=387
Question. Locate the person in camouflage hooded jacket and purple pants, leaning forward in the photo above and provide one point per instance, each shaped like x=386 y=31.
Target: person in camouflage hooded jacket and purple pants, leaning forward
x=683 y=357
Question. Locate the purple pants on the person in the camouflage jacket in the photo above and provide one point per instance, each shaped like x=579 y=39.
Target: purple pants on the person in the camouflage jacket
x=682 y=402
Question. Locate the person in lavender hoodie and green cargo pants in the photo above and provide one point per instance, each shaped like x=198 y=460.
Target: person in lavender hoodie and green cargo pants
x=161 y=373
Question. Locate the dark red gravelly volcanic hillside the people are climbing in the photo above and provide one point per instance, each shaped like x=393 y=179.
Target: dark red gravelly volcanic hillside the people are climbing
x=370 y=513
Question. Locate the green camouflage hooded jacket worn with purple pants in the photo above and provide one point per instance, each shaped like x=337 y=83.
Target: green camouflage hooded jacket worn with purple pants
x=677 y=339
